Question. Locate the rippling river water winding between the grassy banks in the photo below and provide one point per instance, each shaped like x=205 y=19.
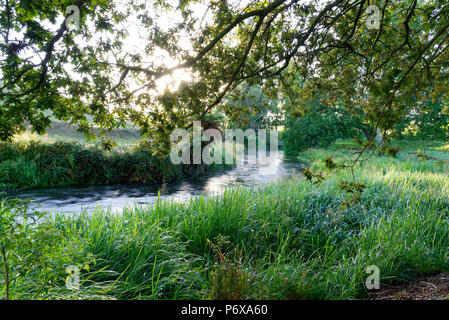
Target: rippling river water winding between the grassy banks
x=73 y=199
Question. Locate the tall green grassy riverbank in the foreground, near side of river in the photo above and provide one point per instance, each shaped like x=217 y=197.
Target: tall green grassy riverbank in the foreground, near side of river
x=289 y=240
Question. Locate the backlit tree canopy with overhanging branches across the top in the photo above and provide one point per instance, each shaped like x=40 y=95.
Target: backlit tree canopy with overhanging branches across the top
x=104 y=69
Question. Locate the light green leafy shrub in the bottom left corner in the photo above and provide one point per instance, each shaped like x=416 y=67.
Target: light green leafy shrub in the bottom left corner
x=34 y=254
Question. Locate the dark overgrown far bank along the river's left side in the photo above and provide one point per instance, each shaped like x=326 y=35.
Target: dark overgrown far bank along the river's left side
x=37 y=164
